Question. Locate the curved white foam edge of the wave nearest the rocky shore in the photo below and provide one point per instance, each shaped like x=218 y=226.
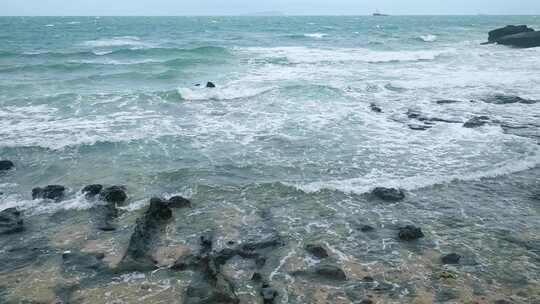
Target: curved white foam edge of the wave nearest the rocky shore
x=365 y=185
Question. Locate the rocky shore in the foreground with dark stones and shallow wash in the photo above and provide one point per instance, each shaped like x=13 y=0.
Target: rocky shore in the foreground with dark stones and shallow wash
x=179 y=250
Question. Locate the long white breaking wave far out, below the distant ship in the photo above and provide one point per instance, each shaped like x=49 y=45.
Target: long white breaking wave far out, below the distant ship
x=343 y=55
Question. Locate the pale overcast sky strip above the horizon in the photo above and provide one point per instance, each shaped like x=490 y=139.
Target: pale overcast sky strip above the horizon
x=240 y=7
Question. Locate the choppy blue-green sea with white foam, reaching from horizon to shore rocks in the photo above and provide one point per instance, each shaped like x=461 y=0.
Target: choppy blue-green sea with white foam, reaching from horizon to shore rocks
x=288 y=129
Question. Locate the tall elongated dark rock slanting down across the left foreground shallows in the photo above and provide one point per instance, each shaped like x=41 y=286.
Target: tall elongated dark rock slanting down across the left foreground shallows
x=147 y=232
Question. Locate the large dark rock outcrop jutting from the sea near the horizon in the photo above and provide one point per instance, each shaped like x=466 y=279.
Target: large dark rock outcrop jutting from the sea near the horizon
x=517 y=36
